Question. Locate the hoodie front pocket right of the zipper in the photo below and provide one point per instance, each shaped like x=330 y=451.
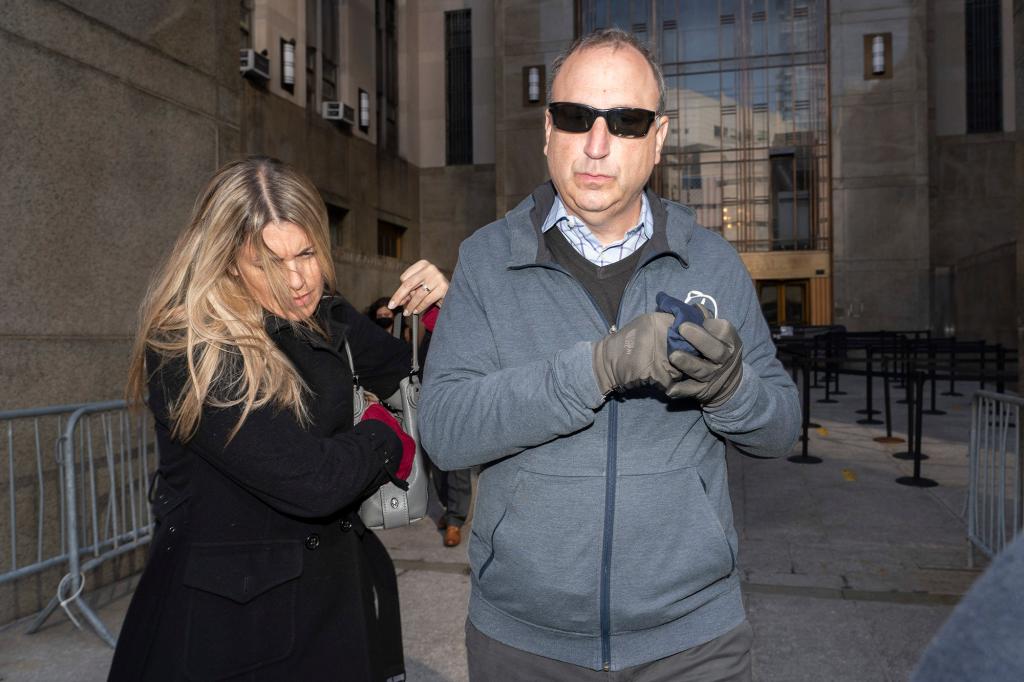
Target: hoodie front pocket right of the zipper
x=669 y=549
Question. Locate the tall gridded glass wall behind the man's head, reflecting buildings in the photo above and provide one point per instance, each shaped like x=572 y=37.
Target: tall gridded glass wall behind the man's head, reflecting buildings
x=748 y=103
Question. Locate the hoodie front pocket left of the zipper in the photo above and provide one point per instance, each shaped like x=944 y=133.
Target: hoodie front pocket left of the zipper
x=545 y=552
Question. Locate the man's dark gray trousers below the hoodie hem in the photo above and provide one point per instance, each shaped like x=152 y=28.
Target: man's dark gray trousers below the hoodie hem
x=727 y=659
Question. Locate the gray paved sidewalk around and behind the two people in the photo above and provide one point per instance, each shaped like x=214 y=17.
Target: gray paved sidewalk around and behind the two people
x=847 y=574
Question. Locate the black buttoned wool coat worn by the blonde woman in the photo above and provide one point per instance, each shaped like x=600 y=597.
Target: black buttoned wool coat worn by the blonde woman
x=261 y=569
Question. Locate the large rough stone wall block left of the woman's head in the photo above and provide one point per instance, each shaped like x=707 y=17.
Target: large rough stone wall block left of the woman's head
x=99 y=179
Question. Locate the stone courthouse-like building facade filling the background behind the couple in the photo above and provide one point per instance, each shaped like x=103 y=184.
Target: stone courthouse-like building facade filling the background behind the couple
x=904 y=212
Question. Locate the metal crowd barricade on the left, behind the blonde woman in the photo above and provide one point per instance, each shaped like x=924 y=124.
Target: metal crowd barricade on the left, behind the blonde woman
x=95 y=498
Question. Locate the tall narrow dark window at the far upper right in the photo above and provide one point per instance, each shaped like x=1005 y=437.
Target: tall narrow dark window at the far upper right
x=985 y=73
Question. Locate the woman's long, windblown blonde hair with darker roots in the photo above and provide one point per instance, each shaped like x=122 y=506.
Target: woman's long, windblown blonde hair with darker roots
x=199 y=309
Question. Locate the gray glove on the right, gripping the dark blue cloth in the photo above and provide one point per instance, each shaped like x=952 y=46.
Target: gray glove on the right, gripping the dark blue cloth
x=714 y=378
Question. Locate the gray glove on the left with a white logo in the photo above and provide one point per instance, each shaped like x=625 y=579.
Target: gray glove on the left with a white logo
x=636 y=356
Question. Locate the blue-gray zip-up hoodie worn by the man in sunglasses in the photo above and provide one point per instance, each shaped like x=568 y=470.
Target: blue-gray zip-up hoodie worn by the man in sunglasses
x=604 y=533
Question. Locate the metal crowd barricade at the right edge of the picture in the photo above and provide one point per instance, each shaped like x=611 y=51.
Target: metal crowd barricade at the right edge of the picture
x=996 y=505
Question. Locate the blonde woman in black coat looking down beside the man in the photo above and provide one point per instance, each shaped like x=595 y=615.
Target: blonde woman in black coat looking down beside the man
x=261 y=568
